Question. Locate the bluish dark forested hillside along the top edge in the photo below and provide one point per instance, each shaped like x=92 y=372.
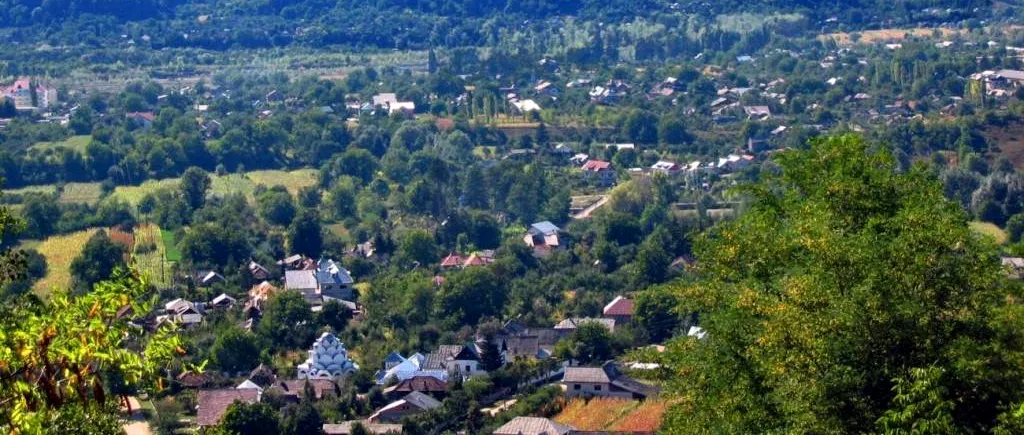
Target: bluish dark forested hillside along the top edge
x=393 y=24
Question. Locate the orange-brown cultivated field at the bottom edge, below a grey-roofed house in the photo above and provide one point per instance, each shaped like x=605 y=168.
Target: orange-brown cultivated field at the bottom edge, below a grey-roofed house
x=605 y=414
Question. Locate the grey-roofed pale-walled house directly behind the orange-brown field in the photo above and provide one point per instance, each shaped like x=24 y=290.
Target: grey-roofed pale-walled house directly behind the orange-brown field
x=606 y=381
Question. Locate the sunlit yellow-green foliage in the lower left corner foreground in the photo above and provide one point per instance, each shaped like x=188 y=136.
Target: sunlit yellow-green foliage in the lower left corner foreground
x=55 y=357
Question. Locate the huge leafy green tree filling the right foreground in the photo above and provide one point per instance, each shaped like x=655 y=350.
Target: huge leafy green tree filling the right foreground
x=850 y=298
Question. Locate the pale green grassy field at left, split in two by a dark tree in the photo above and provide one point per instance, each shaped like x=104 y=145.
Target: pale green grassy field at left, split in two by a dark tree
x=232 y=184
